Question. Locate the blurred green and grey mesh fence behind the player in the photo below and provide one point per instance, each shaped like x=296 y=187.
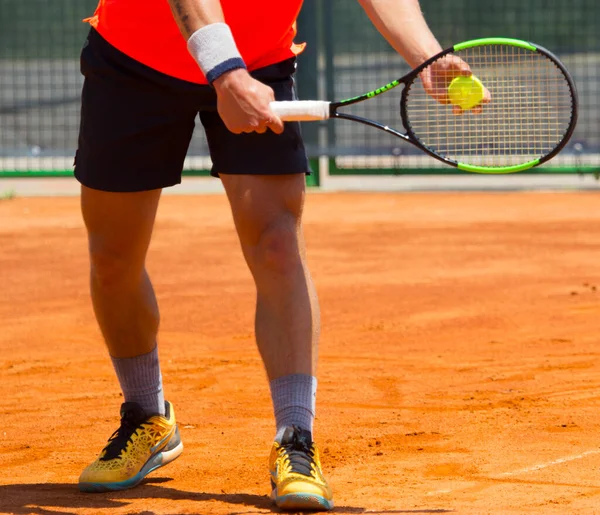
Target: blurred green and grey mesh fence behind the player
x=40 y=83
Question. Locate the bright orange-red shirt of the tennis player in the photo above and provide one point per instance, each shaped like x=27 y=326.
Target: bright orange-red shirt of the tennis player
x=146 y=31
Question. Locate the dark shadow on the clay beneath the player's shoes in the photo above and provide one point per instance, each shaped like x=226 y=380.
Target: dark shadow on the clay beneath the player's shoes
x=66 y=499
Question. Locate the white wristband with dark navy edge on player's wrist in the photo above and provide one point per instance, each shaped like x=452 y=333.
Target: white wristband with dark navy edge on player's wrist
x=215 y=51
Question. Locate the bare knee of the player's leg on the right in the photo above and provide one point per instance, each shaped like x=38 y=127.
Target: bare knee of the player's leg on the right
x=277 y=249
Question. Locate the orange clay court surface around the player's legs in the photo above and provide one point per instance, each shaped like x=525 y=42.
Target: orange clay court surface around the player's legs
x=459 y=373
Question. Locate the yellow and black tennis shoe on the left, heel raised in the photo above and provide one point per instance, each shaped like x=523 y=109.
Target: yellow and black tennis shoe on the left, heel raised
x=141 y=444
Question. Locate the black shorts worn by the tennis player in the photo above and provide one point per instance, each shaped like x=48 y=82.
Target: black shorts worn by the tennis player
x=136 y=125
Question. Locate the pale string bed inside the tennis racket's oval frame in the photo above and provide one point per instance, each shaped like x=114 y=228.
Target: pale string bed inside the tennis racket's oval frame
x=529 y=113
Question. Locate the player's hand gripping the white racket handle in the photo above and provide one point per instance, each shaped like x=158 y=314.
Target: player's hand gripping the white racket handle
x=243 y=103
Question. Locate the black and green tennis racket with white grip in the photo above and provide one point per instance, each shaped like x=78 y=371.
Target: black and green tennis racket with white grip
x=515 y=109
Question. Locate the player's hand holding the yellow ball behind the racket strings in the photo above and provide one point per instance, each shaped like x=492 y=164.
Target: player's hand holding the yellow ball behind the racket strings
x=437 y=77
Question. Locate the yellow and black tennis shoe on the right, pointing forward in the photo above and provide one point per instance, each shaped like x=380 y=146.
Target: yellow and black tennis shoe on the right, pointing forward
x=296 y=477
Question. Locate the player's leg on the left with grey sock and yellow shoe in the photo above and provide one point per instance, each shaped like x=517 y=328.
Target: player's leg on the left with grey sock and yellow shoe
x=119 y=229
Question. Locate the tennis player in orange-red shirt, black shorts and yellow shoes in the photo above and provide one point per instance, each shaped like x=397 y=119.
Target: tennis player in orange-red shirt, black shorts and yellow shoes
x=150 y=67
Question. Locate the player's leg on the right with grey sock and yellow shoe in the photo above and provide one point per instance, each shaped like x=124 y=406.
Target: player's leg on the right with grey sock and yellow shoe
x=267 y=211
